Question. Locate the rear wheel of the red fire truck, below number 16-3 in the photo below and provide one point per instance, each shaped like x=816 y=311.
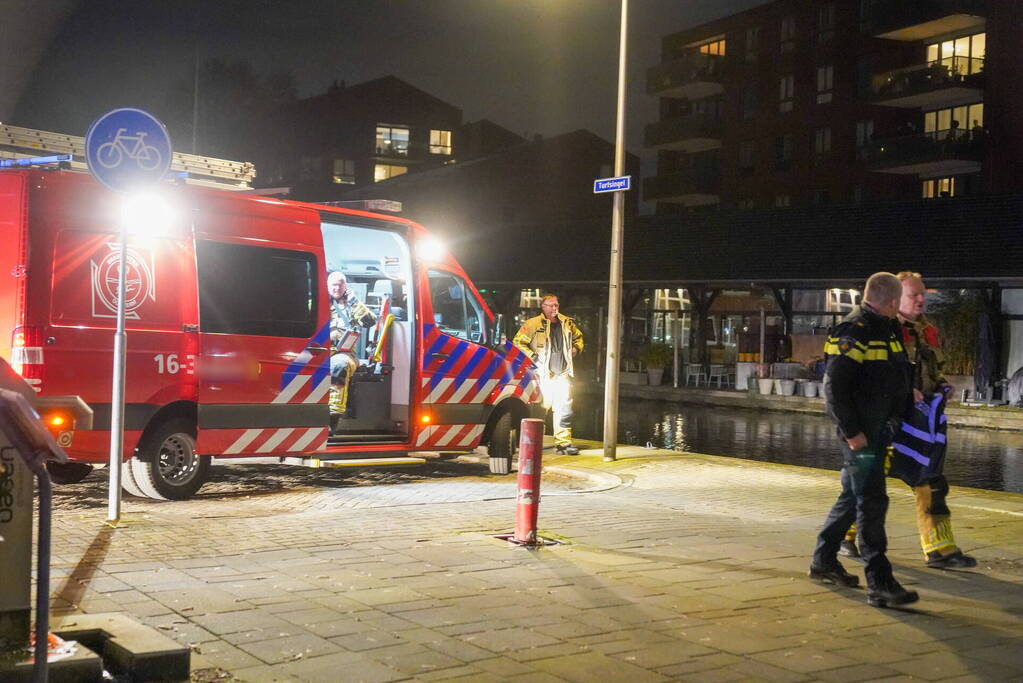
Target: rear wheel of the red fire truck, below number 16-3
x=167 y=467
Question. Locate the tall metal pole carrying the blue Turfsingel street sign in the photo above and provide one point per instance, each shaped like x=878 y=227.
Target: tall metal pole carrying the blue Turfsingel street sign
x=615 y=282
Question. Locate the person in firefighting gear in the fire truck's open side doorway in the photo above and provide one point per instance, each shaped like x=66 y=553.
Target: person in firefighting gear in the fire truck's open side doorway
x=347 y=313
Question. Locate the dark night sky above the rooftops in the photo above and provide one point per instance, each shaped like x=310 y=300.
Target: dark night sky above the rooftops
x=544 y=67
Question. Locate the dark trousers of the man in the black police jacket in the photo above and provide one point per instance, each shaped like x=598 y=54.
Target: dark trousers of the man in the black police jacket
x=864 y=500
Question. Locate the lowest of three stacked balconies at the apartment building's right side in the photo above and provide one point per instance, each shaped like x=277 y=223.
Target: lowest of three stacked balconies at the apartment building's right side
x=931 y=155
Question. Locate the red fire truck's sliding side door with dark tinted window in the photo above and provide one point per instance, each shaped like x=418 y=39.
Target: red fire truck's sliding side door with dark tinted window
x=264 y=365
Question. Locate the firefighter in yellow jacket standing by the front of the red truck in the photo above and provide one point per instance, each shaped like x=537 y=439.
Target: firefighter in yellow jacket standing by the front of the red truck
x=553 y=340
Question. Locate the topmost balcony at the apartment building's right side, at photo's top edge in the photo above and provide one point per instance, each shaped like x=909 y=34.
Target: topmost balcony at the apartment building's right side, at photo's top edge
x=917 y=21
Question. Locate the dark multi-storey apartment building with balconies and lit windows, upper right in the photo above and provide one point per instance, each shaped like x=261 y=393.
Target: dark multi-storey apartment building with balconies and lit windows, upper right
x=835 y=102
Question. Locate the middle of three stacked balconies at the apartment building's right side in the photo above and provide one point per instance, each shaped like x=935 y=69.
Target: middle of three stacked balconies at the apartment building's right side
x=936 y=85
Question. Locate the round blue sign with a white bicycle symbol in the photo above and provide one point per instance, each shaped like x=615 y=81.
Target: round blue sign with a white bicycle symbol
x=128 y=149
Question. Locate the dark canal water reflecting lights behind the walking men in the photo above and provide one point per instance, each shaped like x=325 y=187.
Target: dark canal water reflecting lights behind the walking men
x=980 y=459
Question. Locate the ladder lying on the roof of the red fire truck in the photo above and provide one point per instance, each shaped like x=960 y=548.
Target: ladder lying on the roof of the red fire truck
x=17 y=143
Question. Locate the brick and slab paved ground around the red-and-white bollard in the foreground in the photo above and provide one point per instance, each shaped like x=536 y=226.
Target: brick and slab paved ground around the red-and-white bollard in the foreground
x=693 y=570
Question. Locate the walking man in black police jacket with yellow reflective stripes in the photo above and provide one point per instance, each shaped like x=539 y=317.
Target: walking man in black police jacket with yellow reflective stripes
x=868 y=384
